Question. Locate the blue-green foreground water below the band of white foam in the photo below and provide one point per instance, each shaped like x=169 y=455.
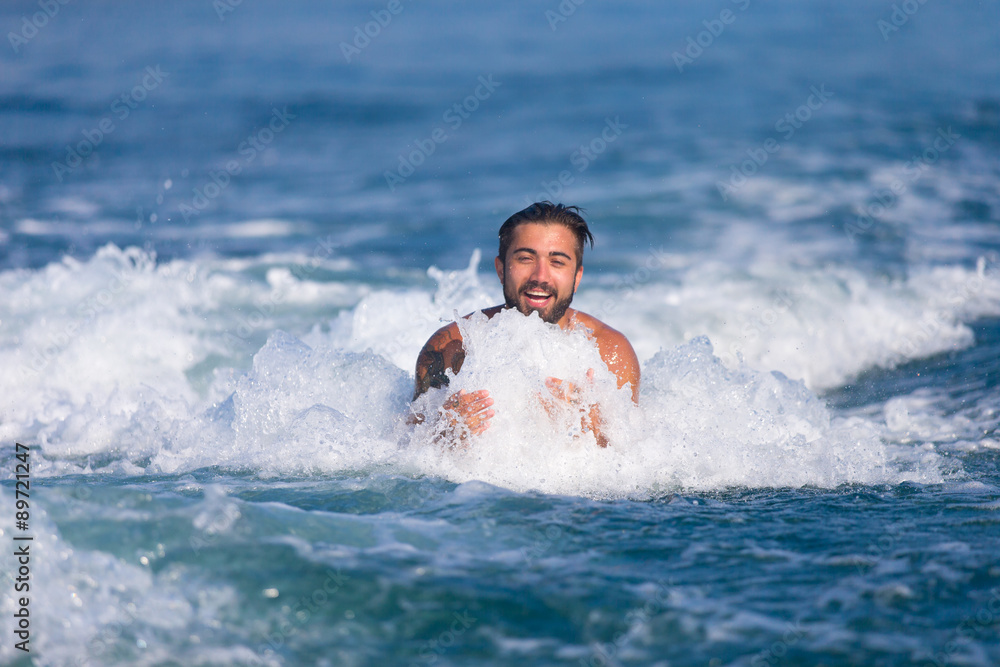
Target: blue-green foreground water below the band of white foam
x=856 y=575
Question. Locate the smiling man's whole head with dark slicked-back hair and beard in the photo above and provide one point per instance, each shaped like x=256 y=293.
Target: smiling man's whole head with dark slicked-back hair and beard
x=541 y=259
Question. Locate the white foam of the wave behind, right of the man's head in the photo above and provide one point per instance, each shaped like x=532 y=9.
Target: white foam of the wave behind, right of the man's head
x=821 y=326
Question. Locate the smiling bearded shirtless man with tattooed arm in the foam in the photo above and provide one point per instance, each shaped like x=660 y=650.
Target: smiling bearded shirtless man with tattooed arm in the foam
x=540 y=264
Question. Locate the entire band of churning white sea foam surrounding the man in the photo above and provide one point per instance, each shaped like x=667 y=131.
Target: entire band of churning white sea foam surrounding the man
x=122 y=364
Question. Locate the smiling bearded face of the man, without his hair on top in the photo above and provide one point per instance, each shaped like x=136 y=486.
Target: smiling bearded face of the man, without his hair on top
x=540 y=270
